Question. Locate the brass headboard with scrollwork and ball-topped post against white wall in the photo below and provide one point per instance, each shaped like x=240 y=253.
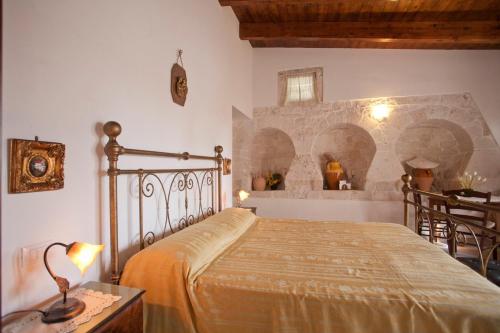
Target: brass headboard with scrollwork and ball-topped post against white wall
x=183 y=180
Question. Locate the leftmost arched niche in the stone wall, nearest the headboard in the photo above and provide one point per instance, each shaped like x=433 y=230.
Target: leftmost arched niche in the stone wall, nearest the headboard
x=272 y=151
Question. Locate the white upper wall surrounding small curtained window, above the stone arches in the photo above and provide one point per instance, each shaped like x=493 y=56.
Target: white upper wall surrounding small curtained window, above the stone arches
x=362 y=73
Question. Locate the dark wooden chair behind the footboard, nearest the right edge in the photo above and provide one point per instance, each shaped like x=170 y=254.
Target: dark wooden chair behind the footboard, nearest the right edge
x=475 y=215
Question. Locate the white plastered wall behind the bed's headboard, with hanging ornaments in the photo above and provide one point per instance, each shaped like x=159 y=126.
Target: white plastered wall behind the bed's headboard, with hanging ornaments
x=70 y=66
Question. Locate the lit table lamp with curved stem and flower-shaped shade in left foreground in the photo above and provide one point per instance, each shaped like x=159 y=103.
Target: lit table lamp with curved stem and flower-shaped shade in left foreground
x=82 y=255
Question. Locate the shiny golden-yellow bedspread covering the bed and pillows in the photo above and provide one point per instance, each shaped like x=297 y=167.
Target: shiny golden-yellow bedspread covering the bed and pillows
x=237 y=273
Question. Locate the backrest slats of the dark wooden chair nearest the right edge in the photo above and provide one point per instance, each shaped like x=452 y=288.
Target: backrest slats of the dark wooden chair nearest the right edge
x=469 y=213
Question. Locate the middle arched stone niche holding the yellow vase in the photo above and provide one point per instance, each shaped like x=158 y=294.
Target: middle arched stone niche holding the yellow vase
x=351 y=145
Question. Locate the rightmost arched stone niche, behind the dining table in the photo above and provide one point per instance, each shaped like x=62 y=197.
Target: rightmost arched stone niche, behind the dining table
x=438 y=140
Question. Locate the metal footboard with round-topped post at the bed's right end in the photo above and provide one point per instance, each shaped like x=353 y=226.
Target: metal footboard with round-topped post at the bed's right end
x=426 y=215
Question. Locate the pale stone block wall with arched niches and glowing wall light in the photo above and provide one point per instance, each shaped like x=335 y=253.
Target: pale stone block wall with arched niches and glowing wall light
x=448 y=129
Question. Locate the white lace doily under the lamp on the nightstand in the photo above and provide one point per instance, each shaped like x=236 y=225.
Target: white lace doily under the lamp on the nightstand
x=95 y=303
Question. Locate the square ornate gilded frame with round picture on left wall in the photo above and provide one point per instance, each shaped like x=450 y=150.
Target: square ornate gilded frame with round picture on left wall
x=35 y=166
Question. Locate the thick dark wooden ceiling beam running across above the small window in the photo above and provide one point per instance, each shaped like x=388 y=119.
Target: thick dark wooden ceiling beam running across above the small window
x=463 y=32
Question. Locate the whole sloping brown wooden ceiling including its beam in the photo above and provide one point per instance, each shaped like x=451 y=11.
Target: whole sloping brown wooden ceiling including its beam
x=400 y=24
